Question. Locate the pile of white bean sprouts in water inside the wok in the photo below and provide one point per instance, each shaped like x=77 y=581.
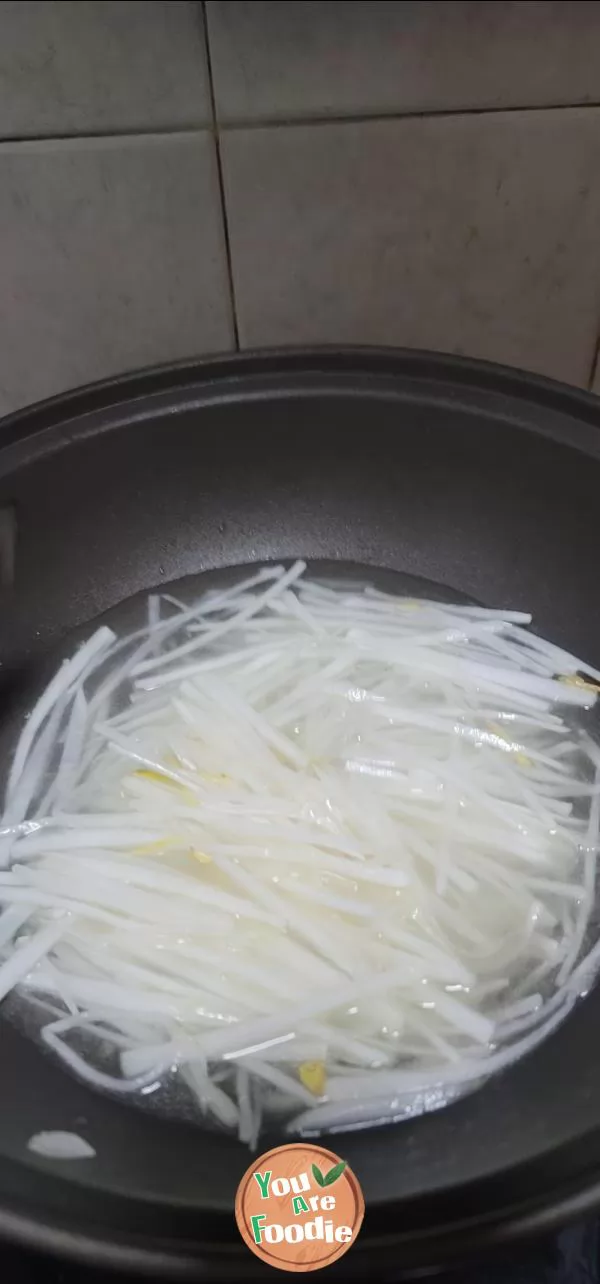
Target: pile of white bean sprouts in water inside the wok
x=318 y=855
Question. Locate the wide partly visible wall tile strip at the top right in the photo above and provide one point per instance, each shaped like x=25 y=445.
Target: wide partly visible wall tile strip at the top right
x=308 y=58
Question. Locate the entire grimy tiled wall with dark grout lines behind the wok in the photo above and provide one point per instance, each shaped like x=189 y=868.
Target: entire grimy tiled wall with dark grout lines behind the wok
x=175 y=177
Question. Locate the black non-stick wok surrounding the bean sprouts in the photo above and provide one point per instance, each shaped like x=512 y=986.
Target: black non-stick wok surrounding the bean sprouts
x=485 y=482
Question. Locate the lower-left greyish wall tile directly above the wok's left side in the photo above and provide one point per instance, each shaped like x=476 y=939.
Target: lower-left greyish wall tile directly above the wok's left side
x=111 y=259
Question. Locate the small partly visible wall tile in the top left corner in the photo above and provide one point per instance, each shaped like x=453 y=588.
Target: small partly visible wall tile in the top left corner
x=96 y=66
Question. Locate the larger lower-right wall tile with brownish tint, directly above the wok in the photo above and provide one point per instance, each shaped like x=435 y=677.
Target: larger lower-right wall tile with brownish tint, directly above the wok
x=473 y=234
